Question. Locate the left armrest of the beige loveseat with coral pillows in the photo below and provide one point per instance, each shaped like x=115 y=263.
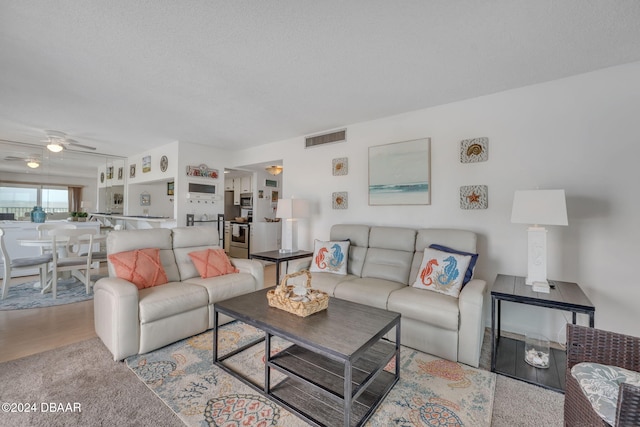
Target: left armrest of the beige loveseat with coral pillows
x=116 y=316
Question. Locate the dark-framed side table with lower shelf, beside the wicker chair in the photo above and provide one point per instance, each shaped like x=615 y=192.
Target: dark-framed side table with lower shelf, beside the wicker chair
x=507 y=355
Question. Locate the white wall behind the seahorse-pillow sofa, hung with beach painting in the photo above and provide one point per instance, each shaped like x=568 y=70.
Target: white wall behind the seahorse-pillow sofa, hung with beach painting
x=580 y=134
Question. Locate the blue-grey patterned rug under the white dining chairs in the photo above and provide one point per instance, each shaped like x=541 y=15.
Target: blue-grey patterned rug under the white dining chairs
x=27 y=295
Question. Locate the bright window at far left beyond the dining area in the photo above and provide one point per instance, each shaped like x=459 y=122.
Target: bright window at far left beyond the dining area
x=20 y=199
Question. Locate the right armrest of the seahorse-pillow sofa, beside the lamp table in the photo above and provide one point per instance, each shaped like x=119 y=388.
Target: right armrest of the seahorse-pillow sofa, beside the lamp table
x=471 y=333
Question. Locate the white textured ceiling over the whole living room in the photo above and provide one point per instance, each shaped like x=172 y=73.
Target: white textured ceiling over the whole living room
x=125 y=76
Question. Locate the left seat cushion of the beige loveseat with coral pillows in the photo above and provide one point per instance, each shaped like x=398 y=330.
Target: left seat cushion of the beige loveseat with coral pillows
x=170 y=299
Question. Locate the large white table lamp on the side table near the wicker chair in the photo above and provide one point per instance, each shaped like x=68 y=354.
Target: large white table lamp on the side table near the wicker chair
x=538 y=207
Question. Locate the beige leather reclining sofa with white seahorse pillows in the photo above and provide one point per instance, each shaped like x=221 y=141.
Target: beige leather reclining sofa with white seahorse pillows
x=383 y=264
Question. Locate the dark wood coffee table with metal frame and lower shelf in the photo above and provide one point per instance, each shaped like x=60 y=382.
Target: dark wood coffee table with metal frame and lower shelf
x=335 y=366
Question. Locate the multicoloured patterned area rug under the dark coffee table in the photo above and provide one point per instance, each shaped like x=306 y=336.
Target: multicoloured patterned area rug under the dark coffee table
x=431 y=391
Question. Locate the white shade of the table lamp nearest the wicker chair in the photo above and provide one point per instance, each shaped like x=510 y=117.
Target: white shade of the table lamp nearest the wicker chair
x=540 y=207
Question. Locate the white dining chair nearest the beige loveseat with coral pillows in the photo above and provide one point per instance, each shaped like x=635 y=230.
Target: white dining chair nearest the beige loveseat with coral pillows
x=75 y=258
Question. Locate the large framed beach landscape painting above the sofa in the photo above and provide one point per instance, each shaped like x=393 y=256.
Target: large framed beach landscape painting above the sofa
x=399 y=173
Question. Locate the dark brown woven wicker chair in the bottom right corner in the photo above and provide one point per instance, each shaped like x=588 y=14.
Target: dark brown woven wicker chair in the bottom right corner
x=608 y=348
